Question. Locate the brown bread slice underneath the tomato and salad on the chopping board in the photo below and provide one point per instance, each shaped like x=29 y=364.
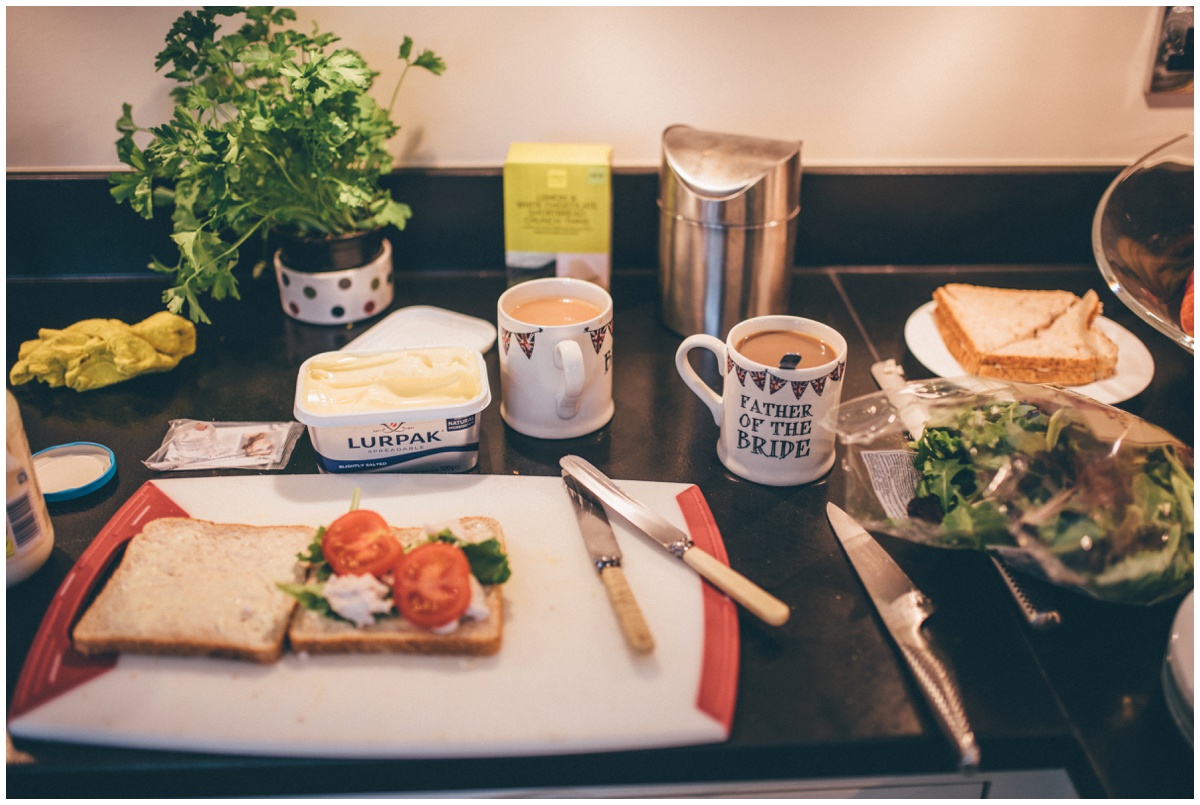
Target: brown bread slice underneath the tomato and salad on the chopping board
x=316 y=634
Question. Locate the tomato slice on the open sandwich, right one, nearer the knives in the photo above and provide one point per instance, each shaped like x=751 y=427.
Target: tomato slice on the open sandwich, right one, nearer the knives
x=433 y=585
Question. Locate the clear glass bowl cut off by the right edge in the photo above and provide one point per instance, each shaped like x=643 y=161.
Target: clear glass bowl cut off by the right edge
x=1142 y=236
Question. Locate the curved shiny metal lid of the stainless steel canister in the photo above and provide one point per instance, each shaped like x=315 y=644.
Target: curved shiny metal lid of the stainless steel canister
x=729 y=179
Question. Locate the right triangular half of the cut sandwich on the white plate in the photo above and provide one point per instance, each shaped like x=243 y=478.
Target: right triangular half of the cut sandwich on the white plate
x=1070 y=352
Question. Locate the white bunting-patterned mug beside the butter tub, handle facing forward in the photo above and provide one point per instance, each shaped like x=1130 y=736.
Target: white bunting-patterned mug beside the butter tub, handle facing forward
x=556 y=380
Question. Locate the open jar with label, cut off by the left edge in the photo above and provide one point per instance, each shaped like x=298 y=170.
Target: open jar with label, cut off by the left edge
x=29 y=532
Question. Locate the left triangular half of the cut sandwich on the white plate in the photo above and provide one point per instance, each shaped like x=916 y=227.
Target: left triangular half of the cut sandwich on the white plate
x=975 y=321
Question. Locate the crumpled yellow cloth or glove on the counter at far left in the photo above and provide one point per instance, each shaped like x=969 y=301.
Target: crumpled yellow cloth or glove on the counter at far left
x=97 y=353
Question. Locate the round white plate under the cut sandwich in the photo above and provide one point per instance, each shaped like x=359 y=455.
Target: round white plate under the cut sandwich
x=1136 y=365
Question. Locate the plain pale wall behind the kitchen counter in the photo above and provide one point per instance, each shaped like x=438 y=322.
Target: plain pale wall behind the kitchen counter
x=861 y=87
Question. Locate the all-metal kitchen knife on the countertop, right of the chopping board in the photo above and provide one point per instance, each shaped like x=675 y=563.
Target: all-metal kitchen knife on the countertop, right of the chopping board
x=904 y=609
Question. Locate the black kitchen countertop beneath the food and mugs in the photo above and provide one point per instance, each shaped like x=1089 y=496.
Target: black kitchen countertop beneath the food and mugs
x=826 y=696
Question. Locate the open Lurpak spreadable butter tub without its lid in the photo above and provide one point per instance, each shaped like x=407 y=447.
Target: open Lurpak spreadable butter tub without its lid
x=400 y=411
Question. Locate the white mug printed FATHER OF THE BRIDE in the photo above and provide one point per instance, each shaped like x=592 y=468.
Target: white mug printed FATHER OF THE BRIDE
x=770 y=419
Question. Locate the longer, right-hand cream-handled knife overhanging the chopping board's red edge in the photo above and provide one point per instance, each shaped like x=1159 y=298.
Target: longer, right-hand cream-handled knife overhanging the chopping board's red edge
x=740 y=588
